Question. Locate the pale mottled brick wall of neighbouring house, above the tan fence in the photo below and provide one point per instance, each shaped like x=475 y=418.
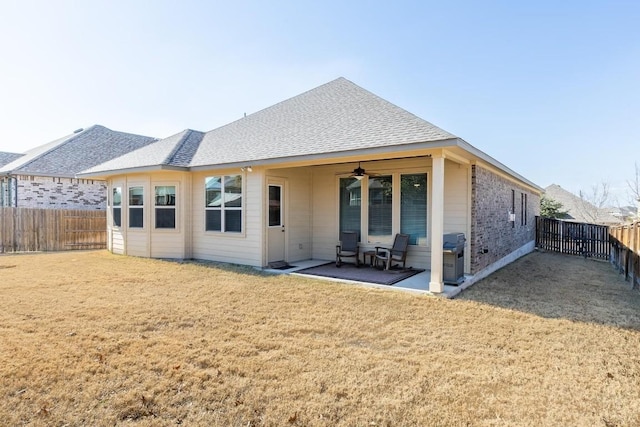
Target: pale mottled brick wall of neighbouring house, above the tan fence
x=61 y=193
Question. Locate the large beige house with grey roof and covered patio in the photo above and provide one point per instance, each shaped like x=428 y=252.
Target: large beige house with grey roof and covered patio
x=282 y=183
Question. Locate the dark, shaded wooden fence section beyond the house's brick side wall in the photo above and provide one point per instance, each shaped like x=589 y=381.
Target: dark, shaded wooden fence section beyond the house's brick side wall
x=573 y=238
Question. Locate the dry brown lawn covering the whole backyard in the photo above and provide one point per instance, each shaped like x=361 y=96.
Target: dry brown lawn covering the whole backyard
x=90 y=338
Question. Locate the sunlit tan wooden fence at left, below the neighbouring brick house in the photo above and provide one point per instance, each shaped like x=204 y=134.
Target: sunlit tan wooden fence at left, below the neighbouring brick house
x=28 y=230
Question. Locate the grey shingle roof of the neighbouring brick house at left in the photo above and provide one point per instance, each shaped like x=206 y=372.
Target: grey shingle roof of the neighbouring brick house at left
x=76 y=152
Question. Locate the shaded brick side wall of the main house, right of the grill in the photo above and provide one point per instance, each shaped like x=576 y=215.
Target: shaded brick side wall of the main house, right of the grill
x=493 y=235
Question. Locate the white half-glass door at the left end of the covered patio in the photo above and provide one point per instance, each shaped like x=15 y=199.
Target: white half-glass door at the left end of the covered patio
x=276 y=231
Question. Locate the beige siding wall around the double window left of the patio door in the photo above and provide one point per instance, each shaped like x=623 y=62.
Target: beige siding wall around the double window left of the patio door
x=238 y=248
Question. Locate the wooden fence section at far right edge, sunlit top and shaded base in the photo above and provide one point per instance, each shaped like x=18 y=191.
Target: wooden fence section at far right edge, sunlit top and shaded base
x=625 y=251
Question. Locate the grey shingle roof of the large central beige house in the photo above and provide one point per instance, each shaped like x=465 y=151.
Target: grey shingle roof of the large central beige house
x=336 y=117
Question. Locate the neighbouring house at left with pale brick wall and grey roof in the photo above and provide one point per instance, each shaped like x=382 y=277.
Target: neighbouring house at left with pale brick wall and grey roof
x=45 y=177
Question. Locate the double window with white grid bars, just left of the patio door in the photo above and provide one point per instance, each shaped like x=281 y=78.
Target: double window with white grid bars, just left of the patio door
x=223 y=203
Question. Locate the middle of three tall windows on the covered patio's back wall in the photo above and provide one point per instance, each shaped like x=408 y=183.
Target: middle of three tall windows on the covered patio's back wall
x=381 y=209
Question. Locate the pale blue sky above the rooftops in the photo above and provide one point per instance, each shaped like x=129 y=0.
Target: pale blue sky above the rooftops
x=549 y=88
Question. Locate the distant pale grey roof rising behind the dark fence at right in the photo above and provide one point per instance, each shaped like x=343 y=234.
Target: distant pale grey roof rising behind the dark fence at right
x=579 y=209
